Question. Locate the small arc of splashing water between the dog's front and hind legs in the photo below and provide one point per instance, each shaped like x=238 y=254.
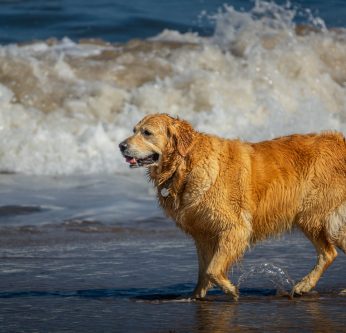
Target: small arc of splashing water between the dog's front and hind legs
x=277 y=277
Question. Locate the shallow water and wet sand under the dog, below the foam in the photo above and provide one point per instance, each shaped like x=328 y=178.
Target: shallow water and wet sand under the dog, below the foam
x=95 y=253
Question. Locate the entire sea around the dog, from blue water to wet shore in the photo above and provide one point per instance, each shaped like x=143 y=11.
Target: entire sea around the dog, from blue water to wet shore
x=84 y=246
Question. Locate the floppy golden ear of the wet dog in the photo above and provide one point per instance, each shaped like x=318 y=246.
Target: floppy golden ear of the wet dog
x=182 y=135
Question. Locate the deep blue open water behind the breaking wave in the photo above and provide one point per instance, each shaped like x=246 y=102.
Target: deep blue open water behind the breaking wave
x=119 y=21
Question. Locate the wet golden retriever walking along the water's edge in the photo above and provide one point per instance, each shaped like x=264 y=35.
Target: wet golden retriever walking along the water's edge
x=229 y=194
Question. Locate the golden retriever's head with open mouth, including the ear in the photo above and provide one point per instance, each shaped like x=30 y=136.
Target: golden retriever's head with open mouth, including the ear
x=156 y=136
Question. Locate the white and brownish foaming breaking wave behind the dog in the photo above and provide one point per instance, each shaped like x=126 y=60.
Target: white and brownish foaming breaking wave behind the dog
x=65 y=106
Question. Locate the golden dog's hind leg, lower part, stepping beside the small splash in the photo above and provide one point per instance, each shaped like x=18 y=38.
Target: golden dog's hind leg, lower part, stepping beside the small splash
x=326 y=253
